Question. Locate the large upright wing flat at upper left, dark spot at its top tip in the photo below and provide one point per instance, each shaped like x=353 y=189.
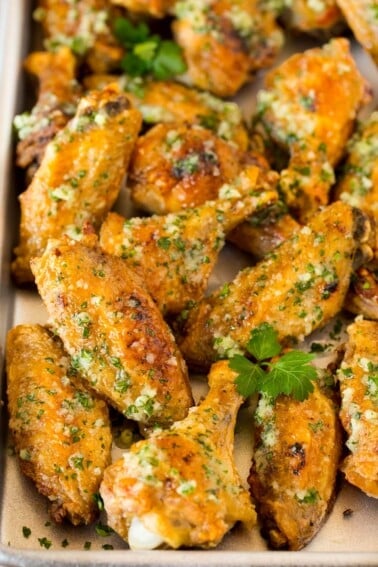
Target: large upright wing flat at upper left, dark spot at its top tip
x=80 y=175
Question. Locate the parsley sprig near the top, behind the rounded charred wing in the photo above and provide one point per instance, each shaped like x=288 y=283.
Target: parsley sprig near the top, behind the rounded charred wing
x=148 y=54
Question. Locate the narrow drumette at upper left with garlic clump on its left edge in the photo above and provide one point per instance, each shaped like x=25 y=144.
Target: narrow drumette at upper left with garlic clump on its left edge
x=58 y=96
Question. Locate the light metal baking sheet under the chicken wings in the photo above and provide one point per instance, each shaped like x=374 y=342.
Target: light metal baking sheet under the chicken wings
x=342 y=541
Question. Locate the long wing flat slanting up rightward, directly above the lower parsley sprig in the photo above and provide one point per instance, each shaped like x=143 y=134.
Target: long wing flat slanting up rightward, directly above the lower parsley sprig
x=297 y=289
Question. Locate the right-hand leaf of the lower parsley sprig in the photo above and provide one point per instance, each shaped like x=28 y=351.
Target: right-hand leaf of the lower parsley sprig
x=291 y=375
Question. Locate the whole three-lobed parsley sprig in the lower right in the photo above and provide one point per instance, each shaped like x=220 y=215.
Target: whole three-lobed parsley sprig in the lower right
x=292 y=374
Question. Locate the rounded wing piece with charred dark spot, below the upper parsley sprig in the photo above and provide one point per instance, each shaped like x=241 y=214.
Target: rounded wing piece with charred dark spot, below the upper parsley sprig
x=175 y=166
